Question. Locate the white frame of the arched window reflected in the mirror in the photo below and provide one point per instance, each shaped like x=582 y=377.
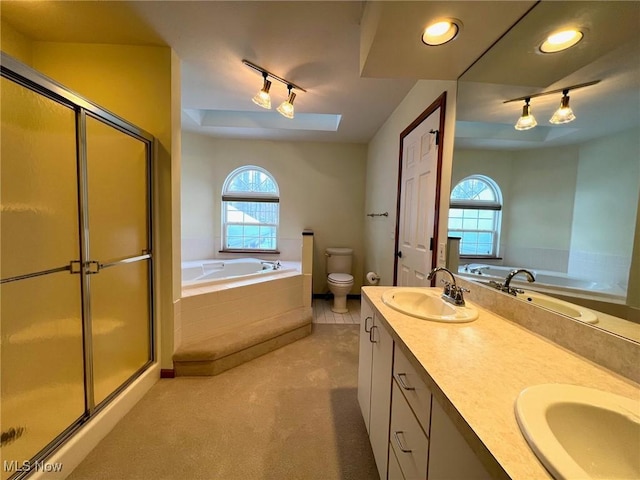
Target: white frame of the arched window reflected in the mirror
x=479 y=205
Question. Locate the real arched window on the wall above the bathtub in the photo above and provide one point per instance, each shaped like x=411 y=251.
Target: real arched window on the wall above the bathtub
x=250 y=210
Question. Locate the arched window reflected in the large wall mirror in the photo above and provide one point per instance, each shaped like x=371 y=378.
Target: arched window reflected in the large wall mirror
x=475 y=214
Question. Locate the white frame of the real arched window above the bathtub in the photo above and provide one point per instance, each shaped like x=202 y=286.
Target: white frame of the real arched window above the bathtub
x=228 y=196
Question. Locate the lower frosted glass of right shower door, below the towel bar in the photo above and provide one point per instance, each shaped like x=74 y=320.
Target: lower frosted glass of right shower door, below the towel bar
x=120 y=325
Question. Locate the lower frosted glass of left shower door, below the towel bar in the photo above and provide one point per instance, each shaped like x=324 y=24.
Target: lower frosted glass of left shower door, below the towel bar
x=42 y=362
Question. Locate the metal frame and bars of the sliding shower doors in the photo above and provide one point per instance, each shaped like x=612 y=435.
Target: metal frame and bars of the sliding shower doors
x=15 y=71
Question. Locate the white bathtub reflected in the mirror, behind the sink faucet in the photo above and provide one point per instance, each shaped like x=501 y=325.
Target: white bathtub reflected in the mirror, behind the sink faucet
x=546 y=281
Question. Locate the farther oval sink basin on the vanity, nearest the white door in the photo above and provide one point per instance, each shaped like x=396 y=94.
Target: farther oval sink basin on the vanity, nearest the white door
x=427 y=304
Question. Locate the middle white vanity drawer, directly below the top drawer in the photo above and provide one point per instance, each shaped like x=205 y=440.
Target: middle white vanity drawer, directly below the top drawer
x=407 y=439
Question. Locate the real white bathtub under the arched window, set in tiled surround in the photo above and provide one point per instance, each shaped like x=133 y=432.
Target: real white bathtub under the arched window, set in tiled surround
x=209 y=272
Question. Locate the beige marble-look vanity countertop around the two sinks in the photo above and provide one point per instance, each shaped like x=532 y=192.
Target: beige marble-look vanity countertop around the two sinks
x=476 y=371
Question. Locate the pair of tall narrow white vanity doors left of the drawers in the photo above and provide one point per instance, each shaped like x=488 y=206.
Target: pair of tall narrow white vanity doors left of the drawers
x=374 y=382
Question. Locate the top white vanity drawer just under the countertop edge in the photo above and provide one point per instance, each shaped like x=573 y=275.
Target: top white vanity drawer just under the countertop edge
x=413 y=388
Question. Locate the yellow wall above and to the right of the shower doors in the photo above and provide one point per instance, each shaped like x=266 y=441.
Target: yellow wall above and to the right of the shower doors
x=136 y=83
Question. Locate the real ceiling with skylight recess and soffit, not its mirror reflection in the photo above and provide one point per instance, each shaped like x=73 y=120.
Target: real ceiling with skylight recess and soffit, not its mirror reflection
x=313 y=44
